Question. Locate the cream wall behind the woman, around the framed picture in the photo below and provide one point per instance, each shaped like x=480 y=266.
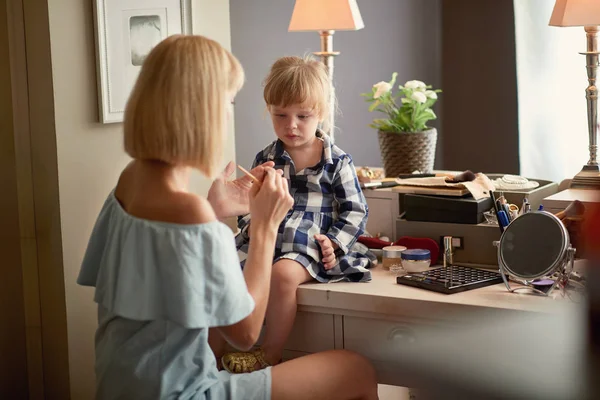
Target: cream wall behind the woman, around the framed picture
x=90 y=157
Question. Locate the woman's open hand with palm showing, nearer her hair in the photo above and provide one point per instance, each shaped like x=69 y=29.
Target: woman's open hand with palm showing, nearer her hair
x=230 y=198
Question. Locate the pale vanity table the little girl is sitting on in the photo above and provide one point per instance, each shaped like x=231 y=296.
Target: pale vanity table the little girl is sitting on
x=378 y=318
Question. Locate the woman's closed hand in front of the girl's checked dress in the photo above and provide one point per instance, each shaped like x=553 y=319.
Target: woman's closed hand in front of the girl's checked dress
x=270 y=201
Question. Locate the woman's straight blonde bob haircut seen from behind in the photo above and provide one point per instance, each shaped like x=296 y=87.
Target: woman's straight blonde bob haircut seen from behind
x=176 y=112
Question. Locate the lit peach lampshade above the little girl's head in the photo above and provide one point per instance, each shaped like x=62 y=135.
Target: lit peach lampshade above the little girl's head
x=323 y=15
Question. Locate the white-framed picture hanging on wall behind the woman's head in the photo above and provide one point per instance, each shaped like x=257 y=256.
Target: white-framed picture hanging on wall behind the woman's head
x=126 y=31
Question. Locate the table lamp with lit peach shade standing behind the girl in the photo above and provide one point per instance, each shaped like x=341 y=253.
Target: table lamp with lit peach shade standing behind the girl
x=326 y=17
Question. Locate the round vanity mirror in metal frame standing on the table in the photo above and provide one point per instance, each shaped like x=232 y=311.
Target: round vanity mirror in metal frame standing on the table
x=535 y=250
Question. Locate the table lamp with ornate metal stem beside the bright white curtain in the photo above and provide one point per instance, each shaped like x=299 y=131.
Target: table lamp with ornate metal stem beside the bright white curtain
x=585 y=13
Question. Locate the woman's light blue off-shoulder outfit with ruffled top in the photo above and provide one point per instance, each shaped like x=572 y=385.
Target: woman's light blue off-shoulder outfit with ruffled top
x=159 y=288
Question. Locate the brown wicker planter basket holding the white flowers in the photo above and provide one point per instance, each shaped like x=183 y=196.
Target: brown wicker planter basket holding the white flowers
x=404 y=153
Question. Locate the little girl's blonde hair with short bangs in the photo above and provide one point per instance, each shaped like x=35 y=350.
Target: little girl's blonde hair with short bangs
x=297 y=80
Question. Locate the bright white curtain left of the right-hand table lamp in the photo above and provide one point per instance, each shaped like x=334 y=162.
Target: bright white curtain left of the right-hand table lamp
x=551 y=80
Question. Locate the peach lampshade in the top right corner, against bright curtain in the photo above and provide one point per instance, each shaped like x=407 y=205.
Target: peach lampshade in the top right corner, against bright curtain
x=575 y=13
